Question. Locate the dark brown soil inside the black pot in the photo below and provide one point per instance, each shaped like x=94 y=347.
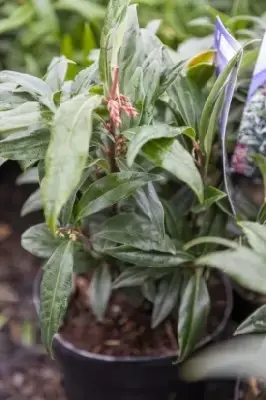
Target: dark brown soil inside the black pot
x=126 y=329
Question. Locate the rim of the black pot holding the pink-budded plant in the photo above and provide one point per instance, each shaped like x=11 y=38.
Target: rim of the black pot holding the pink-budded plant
x=133 y=359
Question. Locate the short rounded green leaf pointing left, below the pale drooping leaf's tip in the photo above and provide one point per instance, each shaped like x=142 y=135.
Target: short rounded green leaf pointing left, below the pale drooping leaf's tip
x=39 y=241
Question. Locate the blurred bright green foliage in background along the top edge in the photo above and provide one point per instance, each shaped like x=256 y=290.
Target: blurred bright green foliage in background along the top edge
x=34 y=31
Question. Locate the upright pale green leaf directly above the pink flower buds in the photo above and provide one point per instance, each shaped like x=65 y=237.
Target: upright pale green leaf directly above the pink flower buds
x=116 y=12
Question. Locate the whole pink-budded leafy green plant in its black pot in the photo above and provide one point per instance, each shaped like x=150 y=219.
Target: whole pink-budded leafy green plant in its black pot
x=126 y=257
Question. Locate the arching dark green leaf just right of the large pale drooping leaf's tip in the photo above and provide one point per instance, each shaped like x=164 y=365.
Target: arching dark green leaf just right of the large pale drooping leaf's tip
x=110 y=190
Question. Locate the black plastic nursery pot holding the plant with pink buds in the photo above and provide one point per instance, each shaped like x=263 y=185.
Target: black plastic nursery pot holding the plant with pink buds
x=100 y=377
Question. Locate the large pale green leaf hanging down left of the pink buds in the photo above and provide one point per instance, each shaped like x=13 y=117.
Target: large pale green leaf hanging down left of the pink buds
x=67 y=153
